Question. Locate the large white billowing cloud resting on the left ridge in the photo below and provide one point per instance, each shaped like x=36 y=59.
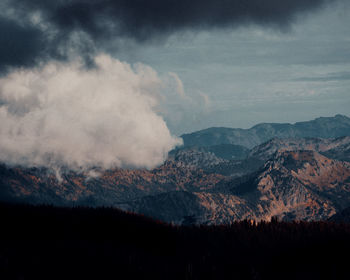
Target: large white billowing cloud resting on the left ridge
x=65 y=115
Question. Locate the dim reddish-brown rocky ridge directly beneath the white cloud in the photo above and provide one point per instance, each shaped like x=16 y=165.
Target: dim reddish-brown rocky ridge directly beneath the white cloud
x=107 y=188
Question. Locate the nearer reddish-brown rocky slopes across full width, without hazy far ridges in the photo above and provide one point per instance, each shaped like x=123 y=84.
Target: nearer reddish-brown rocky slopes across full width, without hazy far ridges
x=301 y=185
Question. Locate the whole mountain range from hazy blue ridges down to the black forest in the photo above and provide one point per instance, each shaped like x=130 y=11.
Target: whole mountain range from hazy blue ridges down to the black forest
x=289 y=171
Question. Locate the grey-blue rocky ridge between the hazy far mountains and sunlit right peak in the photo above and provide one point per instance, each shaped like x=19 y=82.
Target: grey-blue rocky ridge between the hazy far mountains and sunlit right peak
x=252 y=160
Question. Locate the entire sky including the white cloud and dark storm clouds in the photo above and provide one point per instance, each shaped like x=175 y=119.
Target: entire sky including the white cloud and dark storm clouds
x=78 y=76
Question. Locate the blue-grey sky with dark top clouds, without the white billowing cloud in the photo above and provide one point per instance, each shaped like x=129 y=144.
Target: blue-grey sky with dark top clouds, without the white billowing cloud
x=233 y=63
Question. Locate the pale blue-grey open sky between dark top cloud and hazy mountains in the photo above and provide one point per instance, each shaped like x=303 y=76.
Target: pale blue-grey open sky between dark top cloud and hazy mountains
x=256 y=74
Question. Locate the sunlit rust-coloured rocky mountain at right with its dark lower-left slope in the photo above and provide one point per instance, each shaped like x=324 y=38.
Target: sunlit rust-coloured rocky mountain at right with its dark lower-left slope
x=302 y=185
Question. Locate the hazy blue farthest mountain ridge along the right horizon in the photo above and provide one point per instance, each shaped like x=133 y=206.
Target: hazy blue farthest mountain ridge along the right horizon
x=331 y=127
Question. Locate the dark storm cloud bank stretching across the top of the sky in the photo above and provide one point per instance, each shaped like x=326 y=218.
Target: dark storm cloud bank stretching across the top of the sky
x=102 y=21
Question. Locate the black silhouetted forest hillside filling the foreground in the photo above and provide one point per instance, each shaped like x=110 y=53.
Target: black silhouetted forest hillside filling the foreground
x=84 y=243
